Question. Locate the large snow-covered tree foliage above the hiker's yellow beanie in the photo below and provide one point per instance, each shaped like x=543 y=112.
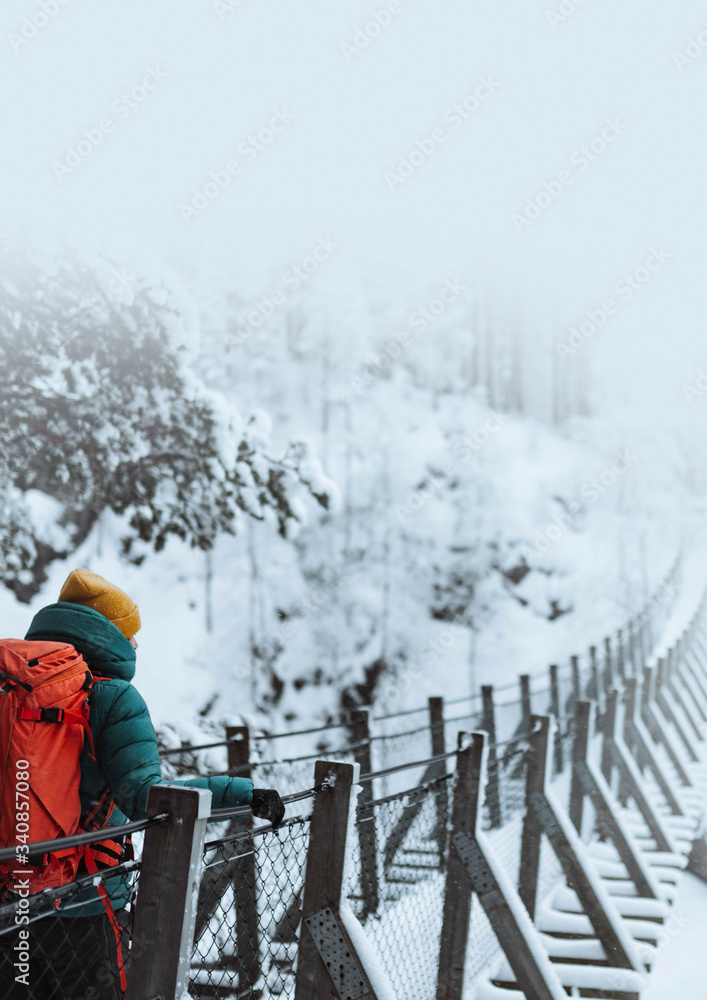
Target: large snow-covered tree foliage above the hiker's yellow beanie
x=100 y=411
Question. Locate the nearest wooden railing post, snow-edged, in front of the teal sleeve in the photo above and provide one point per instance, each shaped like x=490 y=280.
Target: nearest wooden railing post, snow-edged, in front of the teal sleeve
x=163 y=930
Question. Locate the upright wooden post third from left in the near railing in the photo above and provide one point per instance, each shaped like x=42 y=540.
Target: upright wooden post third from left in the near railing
x=456 y=916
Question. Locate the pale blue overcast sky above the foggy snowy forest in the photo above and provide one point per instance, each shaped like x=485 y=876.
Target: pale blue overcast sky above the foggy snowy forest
x=222 y=71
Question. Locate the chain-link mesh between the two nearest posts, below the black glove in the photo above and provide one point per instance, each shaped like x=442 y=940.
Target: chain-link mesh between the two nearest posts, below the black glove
x=249 y=913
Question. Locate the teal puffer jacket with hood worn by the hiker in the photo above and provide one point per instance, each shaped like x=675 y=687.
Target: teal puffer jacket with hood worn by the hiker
x=126 y=757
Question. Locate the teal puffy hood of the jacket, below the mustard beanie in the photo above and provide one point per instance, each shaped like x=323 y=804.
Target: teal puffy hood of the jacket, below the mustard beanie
x=102 y=645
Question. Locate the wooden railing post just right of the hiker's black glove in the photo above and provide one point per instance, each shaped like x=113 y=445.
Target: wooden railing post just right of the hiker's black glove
x=328 y=963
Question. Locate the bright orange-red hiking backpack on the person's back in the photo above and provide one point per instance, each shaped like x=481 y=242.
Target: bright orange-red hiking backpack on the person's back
x=44 y=689
